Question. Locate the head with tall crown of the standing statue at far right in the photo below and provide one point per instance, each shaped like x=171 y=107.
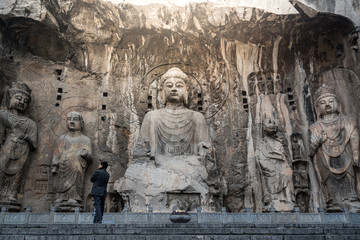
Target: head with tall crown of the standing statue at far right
x=326 y=100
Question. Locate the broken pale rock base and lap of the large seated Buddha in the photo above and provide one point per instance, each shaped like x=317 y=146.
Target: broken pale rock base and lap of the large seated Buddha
x=164 y=183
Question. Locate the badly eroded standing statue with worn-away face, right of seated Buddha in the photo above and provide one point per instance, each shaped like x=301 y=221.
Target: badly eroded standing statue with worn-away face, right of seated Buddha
x=276 y=173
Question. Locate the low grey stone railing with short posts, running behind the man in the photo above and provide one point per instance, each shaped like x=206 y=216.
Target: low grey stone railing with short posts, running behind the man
x=198 y=217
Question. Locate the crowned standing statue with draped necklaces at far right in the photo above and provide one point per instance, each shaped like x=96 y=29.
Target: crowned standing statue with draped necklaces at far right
x=335 y=147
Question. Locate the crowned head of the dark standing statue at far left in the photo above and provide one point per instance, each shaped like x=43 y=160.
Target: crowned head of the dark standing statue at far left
x=19 y=96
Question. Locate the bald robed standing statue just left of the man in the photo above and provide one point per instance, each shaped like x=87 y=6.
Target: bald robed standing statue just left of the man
x=71 y=156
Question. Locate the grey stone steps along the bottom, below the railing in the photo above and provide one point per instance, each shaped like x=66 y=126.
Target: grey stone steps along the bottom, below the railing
x=179 y=231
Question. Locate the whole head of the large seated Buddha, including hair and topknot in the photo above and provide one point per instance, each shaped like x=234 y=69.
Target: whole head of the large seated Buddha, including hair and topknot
x=174 y=86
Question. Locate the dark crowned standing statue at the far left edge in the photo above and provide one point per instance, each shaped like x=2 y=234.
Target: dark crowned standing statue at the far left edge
x=17 y=138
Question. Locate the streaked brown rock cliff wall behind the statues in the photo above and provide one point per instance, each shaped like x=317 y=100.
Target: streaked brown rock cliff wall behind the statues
x=105 y=60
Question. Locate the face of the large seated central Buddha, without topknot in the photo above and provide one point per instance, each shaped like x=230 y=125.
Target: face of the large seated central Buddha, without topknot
x=175 y=90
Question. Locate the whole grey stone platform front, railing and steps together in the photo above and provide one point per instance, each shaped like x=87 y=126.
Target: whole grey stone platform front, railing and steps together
x=205 y=226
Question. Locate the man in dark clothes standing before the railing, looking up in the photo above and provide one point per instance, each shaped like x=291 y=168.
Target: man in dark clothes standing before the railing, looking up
x=100 y=180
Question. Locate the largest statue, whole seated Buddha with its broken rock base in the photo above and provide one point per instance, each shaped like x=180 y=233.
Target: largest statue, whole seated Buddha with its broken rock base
x=173 y=162
